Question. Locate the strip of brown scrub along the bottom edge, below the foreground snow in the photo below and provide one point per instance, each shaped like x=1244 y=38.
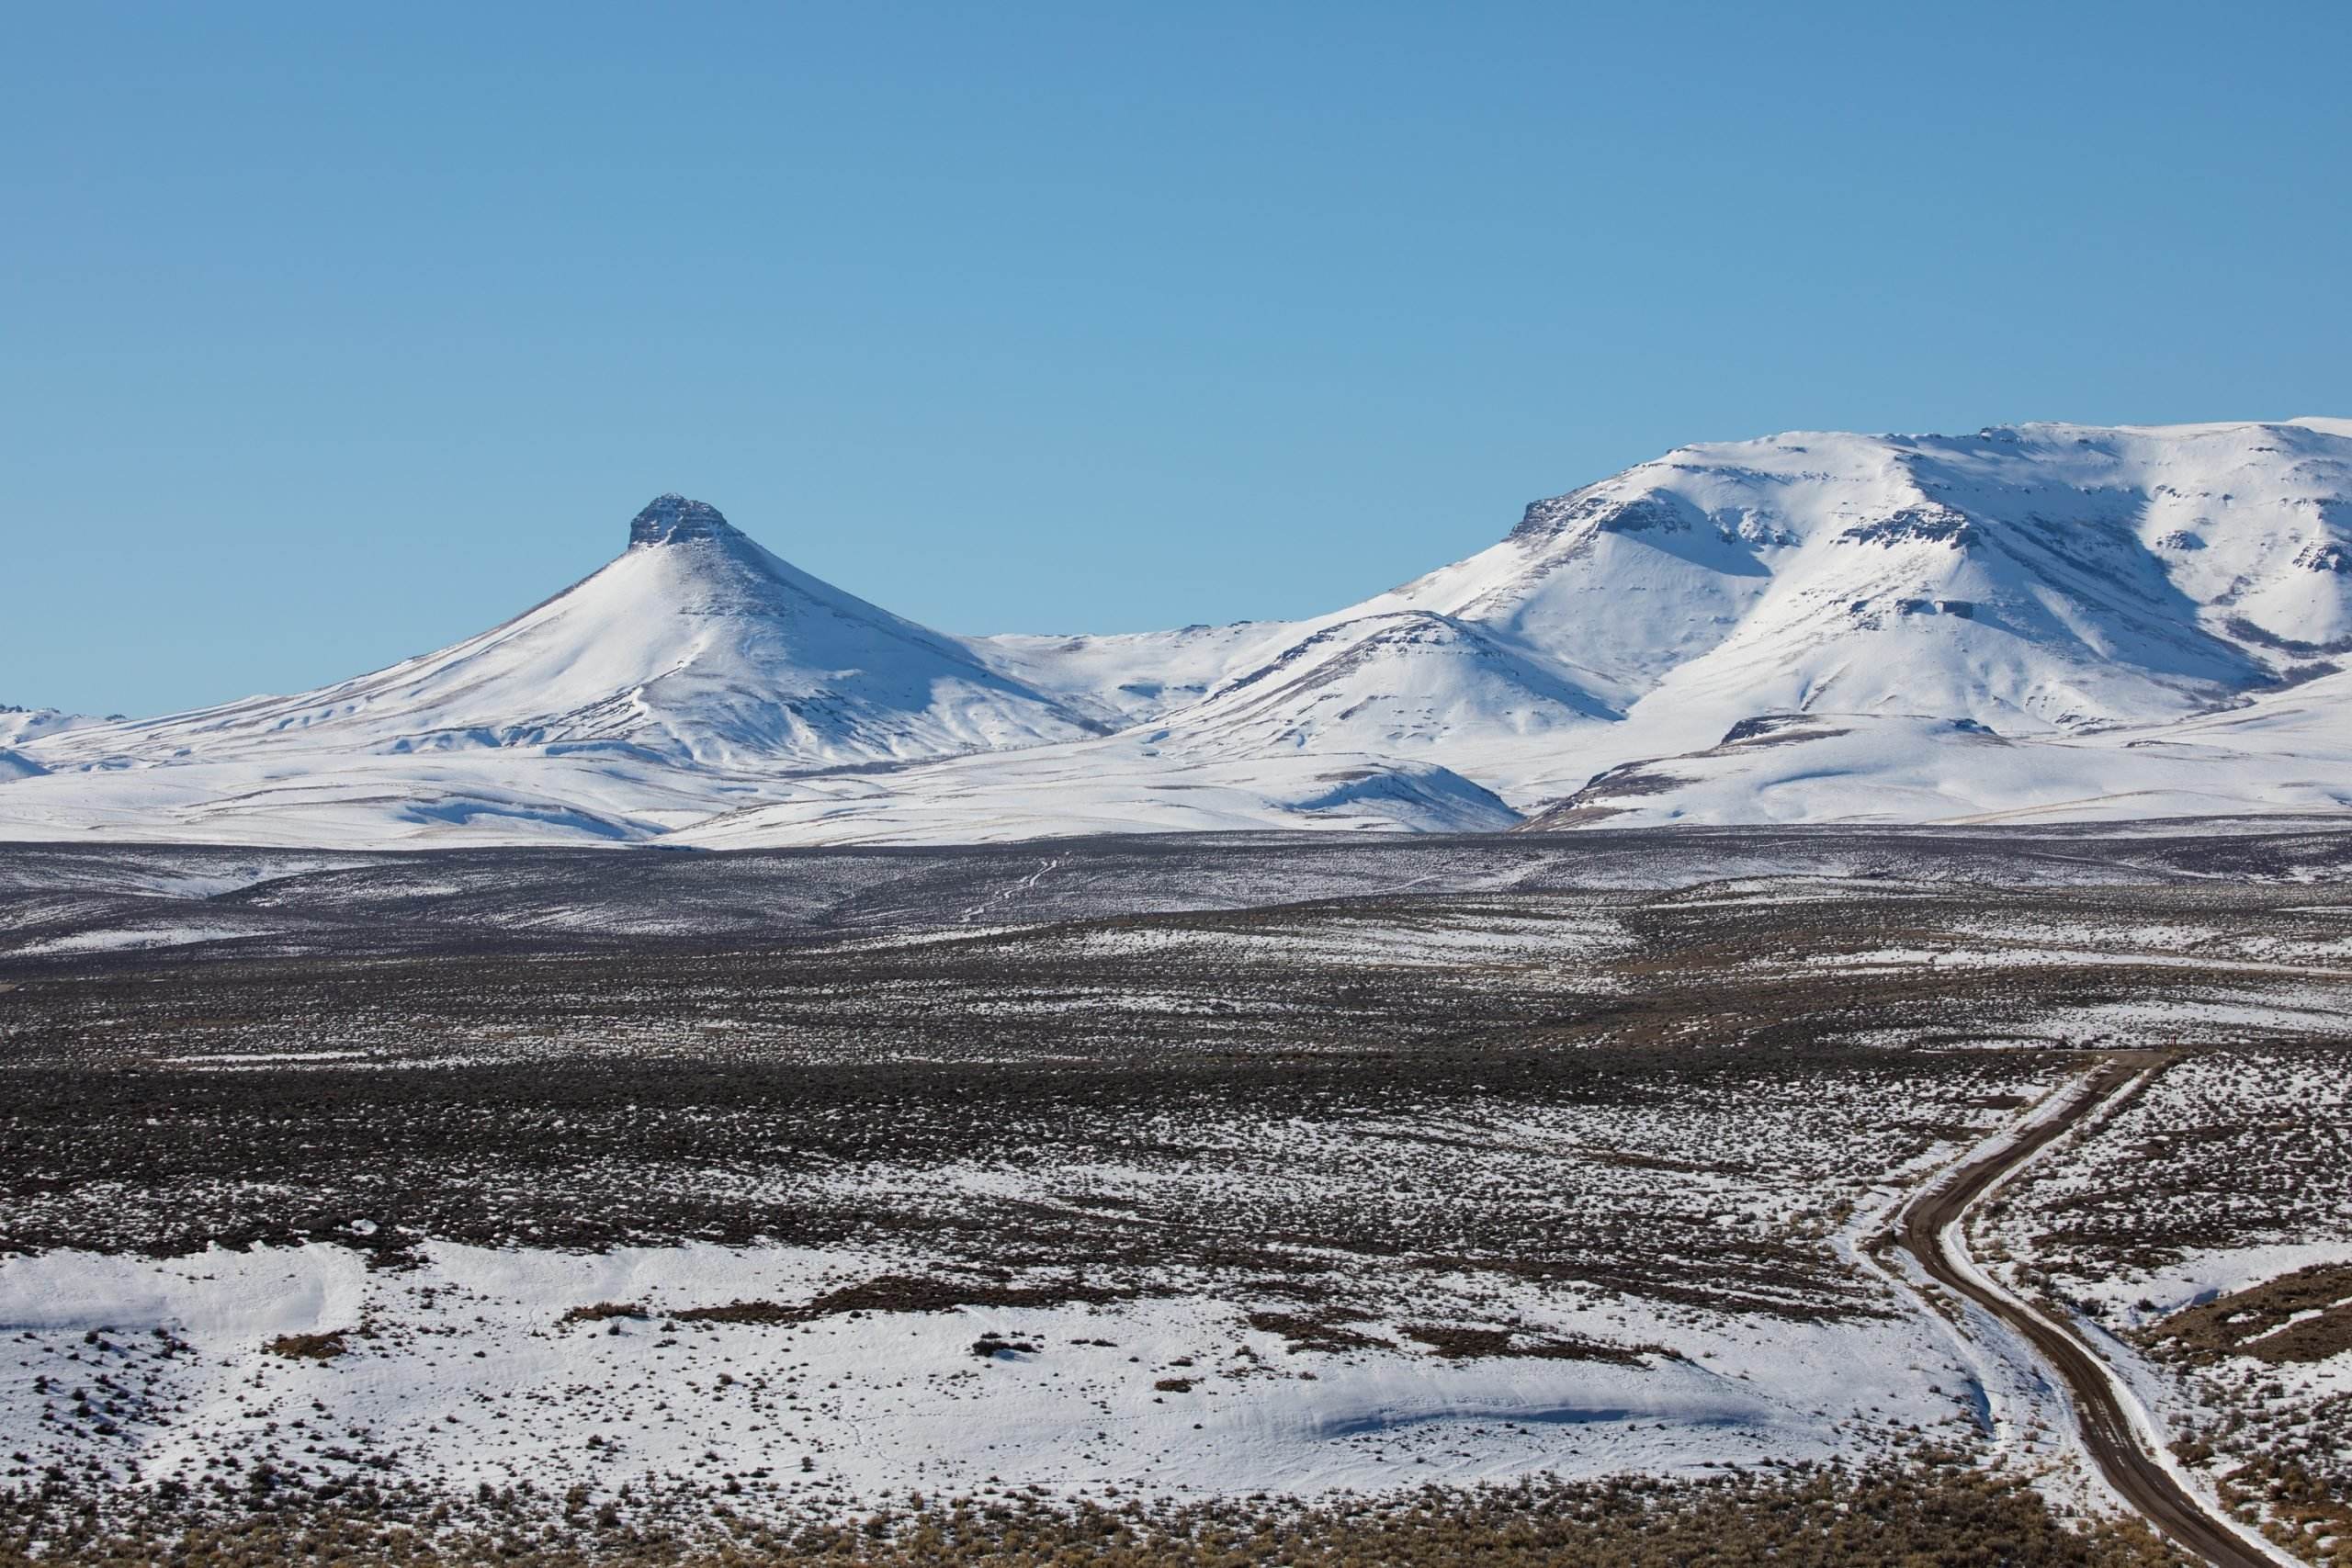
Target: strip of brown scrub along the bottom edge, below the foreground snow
x=1819 y=1520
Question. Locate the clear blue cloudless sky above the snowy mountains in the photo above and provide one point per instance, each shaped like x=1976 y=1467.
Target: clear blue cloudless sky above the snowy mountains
x=338 y=333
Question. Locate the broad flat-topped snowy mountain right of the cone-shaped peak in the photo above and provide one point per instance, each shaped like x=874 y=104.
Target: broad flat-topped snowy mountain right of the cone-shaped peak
x=2047 y=579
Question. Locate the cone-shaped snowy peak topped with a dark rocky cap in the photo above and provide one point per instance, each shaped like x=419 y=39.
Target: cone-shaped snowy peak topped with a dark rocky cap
x=695 y=648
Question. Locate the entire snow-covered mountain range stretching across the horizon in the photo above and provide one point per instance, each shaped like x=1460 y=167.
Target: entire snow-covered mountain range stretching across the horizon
x=2024 y=619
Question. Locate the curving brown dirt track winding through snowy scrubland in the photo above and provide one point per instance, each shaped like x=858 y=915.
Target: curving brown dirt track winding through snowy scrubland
x=1927 y=1231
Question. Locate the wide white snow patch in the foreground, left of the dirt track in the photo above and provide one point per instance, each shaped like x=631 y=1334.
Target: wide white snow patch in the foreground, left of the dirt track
x=505 y=1367
